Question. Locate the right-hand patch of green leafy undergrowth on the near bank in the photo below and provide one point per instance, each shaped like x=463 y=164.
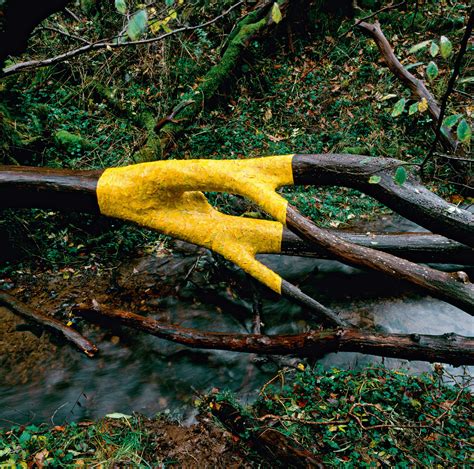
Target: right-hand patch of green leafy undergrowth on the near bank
x=373 y=417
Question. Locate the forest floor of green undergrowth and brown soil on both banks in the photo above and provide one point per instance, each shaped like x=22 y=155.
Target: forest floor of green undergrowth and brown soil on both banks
x=303 y=90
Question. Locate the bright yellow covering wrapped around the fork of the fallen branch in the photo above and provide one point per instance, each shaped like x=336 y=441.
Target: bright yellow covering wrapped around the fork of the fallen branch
x=164 y=195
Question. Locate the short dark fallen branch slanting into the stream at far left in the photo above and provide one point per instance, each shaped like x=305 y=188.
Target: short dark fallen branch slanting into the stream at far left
x=49 y=323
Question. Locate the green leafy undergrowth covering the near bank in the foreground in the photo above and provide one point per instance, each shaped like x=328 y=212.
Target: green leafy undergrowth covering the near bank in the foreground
x=373 y=417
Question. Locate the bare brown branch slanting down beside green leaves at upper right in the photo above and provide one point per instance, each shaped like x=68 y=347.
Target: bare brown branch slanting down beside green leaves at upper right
x=417 y=87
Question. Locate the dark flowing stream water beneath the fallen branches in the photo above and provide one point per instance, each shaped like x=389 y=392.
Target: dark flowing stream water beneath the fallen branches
x=137 y=372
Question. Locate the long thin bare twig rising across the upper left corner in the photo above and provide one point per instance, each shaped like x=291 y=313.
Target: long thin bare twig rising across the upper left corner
x=107 y=44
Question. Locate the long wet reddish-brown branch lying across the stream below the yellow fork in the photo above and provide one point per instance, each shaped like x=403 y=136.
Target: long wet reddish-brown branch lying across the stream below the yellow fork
x=448 y=348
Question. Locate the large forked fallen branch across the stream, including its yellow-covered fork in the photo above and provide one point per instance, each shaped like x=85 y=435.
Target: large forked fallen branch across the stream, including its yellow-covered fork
x=163 y=188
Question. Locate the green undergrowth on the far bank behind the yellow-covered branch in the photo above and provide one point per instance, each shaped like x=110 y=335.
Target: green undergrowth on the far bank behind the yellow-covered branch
x=316 y=86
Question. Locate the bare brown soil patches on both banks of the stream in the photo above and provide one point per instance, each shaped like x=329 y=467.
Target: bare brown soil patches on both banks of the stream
x=132 y=285
